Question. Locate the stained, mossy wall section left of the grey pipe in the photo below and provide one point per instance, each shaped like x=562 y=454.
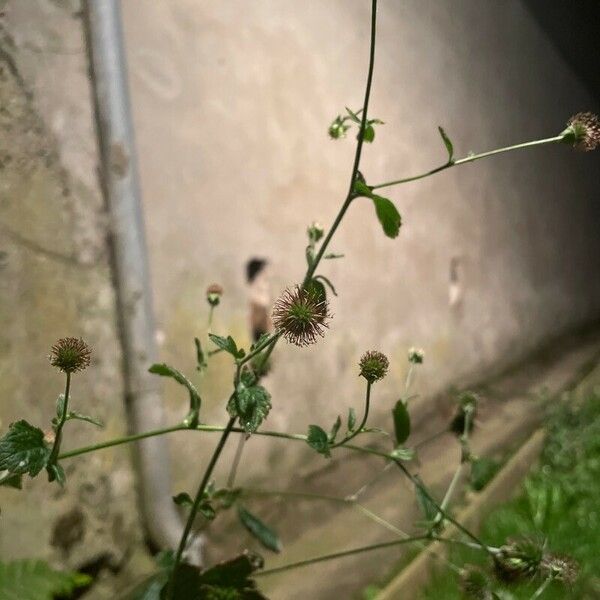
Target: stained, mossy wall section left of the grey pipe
x=55 y=282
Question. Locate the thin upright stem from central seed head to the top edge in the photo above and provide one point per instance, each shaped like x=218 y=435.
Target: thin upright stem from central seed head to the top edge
x=349 y=197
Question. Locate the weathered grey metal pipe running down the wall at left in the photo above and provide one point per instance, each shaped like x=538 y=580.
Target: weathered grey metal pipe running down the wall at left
x=119 y=178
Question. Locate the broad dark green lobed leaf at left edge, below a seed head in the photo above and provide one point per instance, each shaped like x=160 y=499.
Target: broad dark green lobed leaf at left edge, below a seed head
x=23 y=449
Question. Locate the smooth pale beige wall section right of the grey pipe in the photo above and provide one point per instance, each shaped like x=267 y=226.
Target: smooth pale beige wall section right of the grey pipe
x=232 y=102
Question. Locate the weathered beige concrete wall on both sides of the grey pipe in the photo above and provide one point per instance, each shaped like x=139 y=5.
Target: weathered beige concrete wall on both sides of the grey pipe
x=232 y=101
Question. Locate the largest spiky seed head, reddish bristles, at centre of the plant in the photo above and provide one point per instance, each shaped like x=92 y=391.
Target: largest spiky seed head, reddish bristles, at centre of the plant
x=301 y=315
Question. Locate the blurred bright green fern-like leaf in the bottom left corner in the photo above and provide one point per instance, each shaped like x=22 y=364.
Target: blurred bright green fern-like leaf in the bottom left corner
x=36 y=580
